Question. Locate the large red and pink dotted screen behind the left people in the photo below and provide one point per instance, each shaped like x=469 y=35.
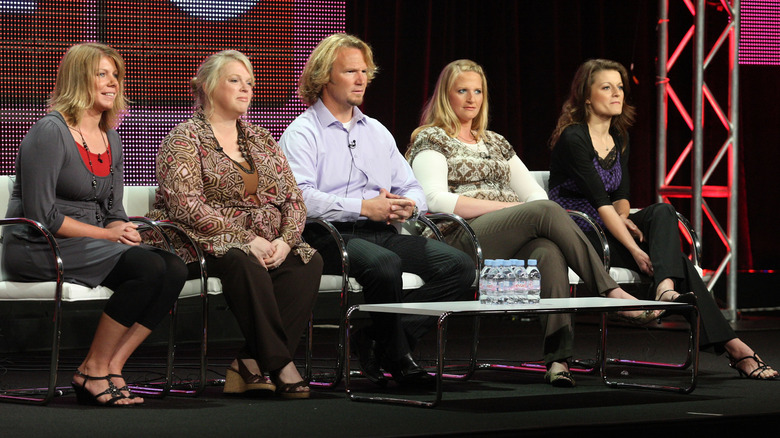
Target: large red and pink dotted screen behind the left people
x=162 y=42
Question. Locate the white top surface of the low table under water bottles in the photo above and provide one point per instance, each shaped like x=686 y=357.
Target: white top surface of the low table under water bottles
x=548 y=305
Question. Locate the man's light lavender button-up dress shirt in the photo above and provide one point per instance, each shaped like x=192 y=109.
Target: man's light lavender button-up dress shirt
x=336 y=169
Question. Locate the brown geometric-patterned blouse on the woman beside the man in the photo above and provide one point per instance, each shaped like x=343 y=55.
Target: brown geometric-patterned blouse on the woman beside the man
x=202 y=192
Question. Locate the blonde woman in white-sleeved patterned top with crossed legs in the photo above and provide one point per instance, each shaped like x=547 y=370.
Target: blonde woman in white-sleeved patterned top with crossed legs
x=473 y=172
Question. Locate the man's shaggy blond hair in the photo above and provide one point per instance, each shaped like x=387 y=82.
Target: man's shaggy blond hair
x=316 y=72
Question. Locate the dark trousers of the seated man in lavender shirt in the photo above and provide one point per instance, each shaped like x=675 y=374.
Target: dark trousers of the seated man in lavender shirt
x=378 y=255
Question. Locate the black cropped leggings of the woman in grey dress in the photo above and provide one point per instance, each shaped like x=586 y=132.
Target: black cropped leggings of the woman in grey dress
x=146 y=284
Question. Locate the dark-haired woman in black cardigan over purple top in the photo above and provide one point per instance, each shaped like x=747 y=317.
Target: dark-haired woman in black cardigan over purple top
x=589 y=172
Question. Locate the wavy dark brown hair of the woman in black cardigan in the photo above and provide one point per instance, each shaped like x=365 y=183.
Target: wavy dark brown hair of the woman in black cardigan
x=576 y=111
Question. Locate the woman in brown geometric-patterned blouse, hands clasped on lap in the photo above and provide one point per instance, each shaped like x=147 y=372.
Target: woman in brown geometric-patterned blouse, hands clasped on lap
x=228 y=185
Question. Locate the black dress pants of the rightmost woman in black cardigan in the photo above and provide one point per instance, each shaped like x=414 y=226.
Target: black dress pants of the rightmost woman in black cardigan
x=658 y=223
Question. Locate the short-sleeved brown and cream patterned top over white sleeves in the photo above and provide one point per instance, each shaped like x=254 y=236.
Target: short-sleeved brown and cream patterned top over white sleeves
x=470 y=172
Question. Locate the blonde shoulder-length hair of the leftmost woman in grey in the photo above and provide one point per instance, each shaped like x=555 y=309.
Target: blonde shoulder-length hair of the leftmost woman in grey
x=74 y=90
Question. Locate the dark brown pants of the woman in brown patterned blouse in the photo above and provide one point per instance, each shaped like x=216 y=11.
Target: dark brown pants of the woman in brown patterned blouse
x=272 y=307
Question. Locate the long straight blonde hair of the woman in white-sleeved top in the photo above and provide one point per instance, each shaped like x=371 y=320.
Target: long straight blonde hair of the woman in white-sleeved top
x=439 y=113
